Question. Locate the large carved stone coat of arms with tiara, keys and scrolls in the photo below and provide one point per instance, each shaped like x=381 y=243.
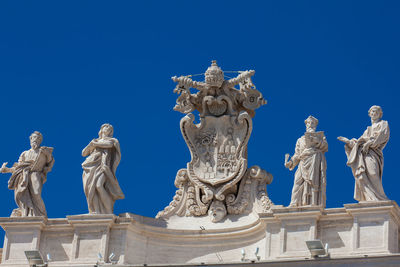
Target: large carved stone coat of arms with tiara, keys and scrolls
x=217 y=181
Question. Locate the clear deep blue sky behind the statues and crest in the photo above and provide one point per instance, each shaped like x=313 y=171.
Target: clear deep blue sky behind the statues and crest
x=66 y=67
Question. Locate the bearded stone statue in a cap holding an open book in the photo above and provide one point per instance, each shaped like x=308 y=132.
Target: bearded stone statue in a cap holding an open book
x=309 y=186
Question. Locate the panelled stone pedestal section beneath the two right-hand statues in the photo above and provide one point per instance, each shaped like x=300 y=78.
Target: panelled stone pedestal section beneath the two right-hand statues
x=357 y=229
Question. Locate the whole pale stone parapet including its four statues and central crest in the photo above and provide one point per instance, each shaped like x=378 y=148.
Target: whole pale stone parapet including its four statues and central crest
x=221 y=213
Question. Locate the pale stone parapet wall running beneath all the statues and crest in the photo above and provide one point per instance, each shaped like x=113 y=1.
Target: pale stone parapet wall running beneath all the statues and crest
x=352 y=231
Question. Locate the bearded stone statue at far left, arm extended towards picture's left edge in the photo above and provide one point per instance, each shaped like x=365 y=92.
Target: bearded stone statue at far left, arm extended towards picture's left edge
x=28 y=176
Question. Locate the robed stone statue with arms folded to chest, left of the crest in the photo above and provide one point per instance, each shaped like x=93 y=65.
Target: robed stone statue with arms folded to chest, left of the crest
x=99 y=181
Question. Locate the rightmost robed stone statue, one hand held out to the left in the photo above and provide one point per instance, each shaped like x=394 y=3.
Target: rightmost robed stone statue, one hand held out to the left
x=365 y=157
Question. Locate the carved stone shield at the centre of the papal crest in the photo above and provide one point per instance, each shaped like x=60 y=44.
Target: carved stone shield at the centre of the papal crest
x=218 y=147
